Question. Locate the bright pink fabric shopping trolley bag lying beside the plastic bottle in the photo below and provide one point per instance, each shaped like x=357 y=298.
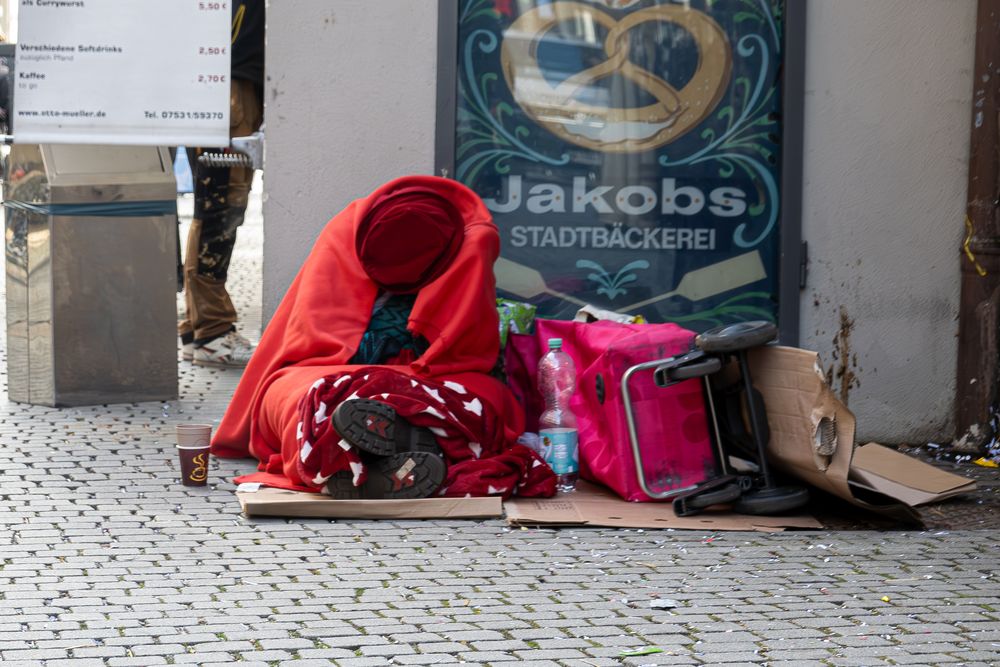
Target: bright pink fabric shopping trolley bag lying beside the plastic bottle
x=671 y=423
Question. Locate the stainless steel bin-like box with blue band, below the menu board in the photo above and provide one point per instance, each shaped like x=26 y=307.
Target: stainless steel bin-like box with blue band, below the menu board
x=90 y=258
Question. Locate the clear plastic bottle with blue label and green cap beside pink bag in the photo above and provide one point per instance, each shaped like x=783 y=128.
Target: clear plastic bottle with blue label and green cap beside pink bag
x=557 y=425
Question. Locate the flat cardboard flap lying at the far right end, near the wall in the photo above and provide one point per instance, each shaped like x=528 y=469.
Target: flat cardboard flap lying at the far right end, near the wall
x=903 y=477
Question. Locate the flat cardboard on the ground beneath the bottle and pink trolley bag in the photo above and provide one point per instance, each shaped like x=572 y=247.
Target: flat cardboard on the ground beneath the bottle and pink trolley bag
x=591 y=505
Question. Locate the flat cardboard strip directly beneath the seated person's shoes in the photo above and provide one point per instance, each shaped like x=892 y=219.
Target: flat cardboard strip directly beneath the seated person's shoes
x=278 y=502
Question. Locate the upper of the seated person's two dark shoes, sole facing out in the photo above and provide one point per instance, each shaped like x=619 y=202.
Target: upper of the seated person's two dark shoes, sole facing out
x=374 y=427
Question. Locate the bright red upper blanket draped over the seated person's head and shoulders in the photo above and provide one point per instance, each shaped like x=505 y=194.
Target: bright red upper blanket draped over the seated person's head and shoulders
x=327 y=309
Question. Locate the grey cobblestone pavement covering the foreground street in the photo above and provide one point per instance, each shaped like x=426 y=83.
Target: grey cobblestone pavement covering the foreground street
x=106 y=559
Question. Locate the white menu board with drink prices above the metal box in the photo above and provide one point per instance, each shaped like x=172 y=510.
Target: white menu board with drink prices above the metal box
x=142 y=72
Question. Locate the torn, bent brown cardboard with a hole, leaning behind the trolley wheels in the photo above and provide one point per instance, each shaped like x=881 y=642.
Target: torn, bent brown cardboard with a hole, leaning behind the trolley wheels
x=812 y=438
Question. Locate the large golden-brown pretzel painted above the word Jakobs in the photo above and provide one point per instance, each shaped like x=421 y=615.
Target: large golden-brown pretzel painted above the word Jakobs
x=615 y=129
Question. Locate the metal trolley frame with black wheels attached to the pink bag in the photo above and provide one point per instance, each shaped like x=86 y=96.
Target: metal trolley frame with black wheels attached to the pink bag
x=713 y=350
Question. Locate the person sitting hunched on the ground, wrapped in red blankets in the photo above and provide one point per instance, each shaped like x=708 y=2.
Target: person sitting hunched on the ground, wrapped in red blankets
x=428 y=418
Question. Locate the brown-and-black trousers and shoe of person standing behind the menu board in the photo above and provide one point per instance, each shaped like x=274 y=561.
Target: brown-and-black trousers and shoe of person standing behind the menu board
x=208 y=331
